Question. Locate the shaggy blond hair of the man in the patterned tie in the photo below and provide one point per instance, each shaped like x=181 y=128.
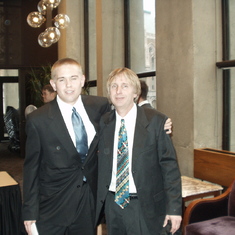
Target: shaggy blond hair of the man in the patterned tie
x=127 y=73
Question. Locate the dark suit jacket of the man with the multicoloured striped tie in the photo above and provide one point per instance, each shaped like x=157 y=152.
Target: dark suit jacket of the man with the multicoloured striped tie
x=154 y=167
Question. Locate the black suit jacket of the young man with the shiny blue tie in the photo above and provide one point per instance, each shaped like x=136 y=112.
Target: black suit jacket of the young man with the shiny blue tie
x=53 y=171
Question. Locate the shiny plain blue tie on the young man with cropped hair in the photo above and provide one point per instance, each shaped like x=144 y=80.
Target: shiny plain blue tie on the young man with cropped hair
x=80 y=135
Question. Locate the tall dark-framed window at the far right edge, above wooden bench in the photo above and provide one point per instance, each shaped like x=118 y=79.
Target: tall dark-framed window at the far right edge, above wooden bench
x=228 y=66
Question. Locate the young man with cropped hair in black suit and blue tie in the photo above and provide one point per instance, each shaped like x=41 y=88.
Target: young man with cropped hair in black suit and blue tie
x=60 y=182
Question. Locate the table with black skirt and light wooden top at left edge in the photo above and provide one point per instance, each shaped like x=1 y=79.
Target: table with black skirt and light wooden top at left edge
x=10 y=205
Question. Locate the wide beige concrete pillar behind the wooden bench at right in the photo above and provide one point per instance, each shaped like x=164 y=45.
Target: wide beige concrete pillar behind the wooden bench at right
x=188 y=84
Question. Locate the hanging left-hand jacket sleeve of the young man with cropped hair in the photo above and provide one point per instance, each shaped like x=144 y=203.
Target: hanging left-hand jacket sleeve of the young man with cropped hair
x=31 y=173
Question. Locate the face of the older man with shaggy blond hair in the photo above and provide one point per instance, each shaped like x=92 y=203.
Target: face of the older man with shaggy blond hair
x=122 y=94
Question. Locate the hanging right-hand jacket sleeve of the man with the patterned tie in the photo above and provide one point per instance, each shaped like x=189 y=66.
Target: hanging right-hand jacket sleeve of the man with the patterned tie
x=170 y=173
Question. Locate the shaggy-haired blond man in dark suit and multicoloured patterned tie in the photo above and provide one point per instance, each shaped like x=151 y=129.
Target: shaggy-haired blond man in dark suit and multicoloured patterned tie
x=139 y=183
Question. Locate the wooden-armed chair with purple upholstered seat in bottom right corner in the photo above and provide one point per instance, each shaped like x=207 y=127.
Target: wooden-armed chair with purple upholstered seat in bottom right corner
x=211 y=215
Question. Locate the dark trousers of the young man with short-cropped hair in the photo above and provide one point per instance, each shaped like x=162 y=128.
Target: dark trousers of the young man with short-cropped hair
x=83 y=223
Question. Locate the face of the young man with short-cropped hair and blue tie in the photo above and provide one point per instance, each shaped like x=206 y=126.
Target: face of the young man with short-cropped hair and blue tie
x=68 y=82
